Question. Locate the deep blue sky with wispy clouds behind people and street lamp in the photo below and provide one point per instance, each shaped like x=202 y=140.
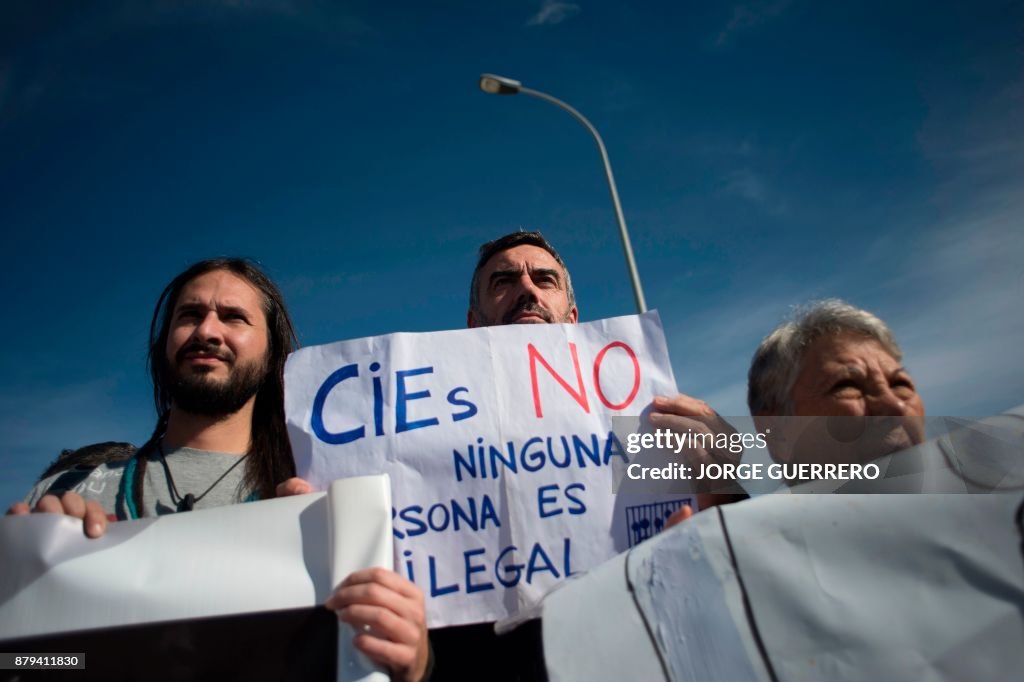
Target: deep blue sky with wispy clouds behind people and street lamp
x=767 y=154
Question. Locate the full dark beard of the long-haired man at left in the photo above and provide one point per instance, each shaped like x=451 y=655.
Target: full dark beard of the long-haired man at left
x=197 y=394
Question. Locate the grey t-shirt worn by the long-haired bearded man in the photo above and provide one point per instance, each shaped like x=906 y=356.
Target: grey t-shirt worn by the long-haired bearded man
x=193 y=471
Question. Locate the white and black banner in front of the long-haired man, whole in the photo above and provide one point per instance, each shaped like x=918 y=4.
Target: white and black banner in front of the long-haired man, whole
x=260 y=573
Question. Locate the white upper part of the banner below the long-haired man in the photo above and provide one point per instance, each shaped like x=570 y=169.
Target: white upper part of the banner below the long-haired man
x=275 y=555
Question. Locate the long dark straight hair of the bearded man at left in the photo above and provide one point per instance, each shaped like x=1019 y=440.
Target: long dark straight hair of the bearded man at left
x=270 y=460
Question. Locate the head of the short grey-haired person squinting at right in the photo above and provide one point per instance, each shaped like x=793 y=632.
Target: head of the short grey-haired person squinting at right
x=831 y=387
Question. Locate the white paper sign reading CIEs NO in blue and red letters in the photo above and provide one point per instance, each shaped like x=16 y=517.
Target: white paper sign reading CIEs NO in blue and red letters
x=499 y=446
